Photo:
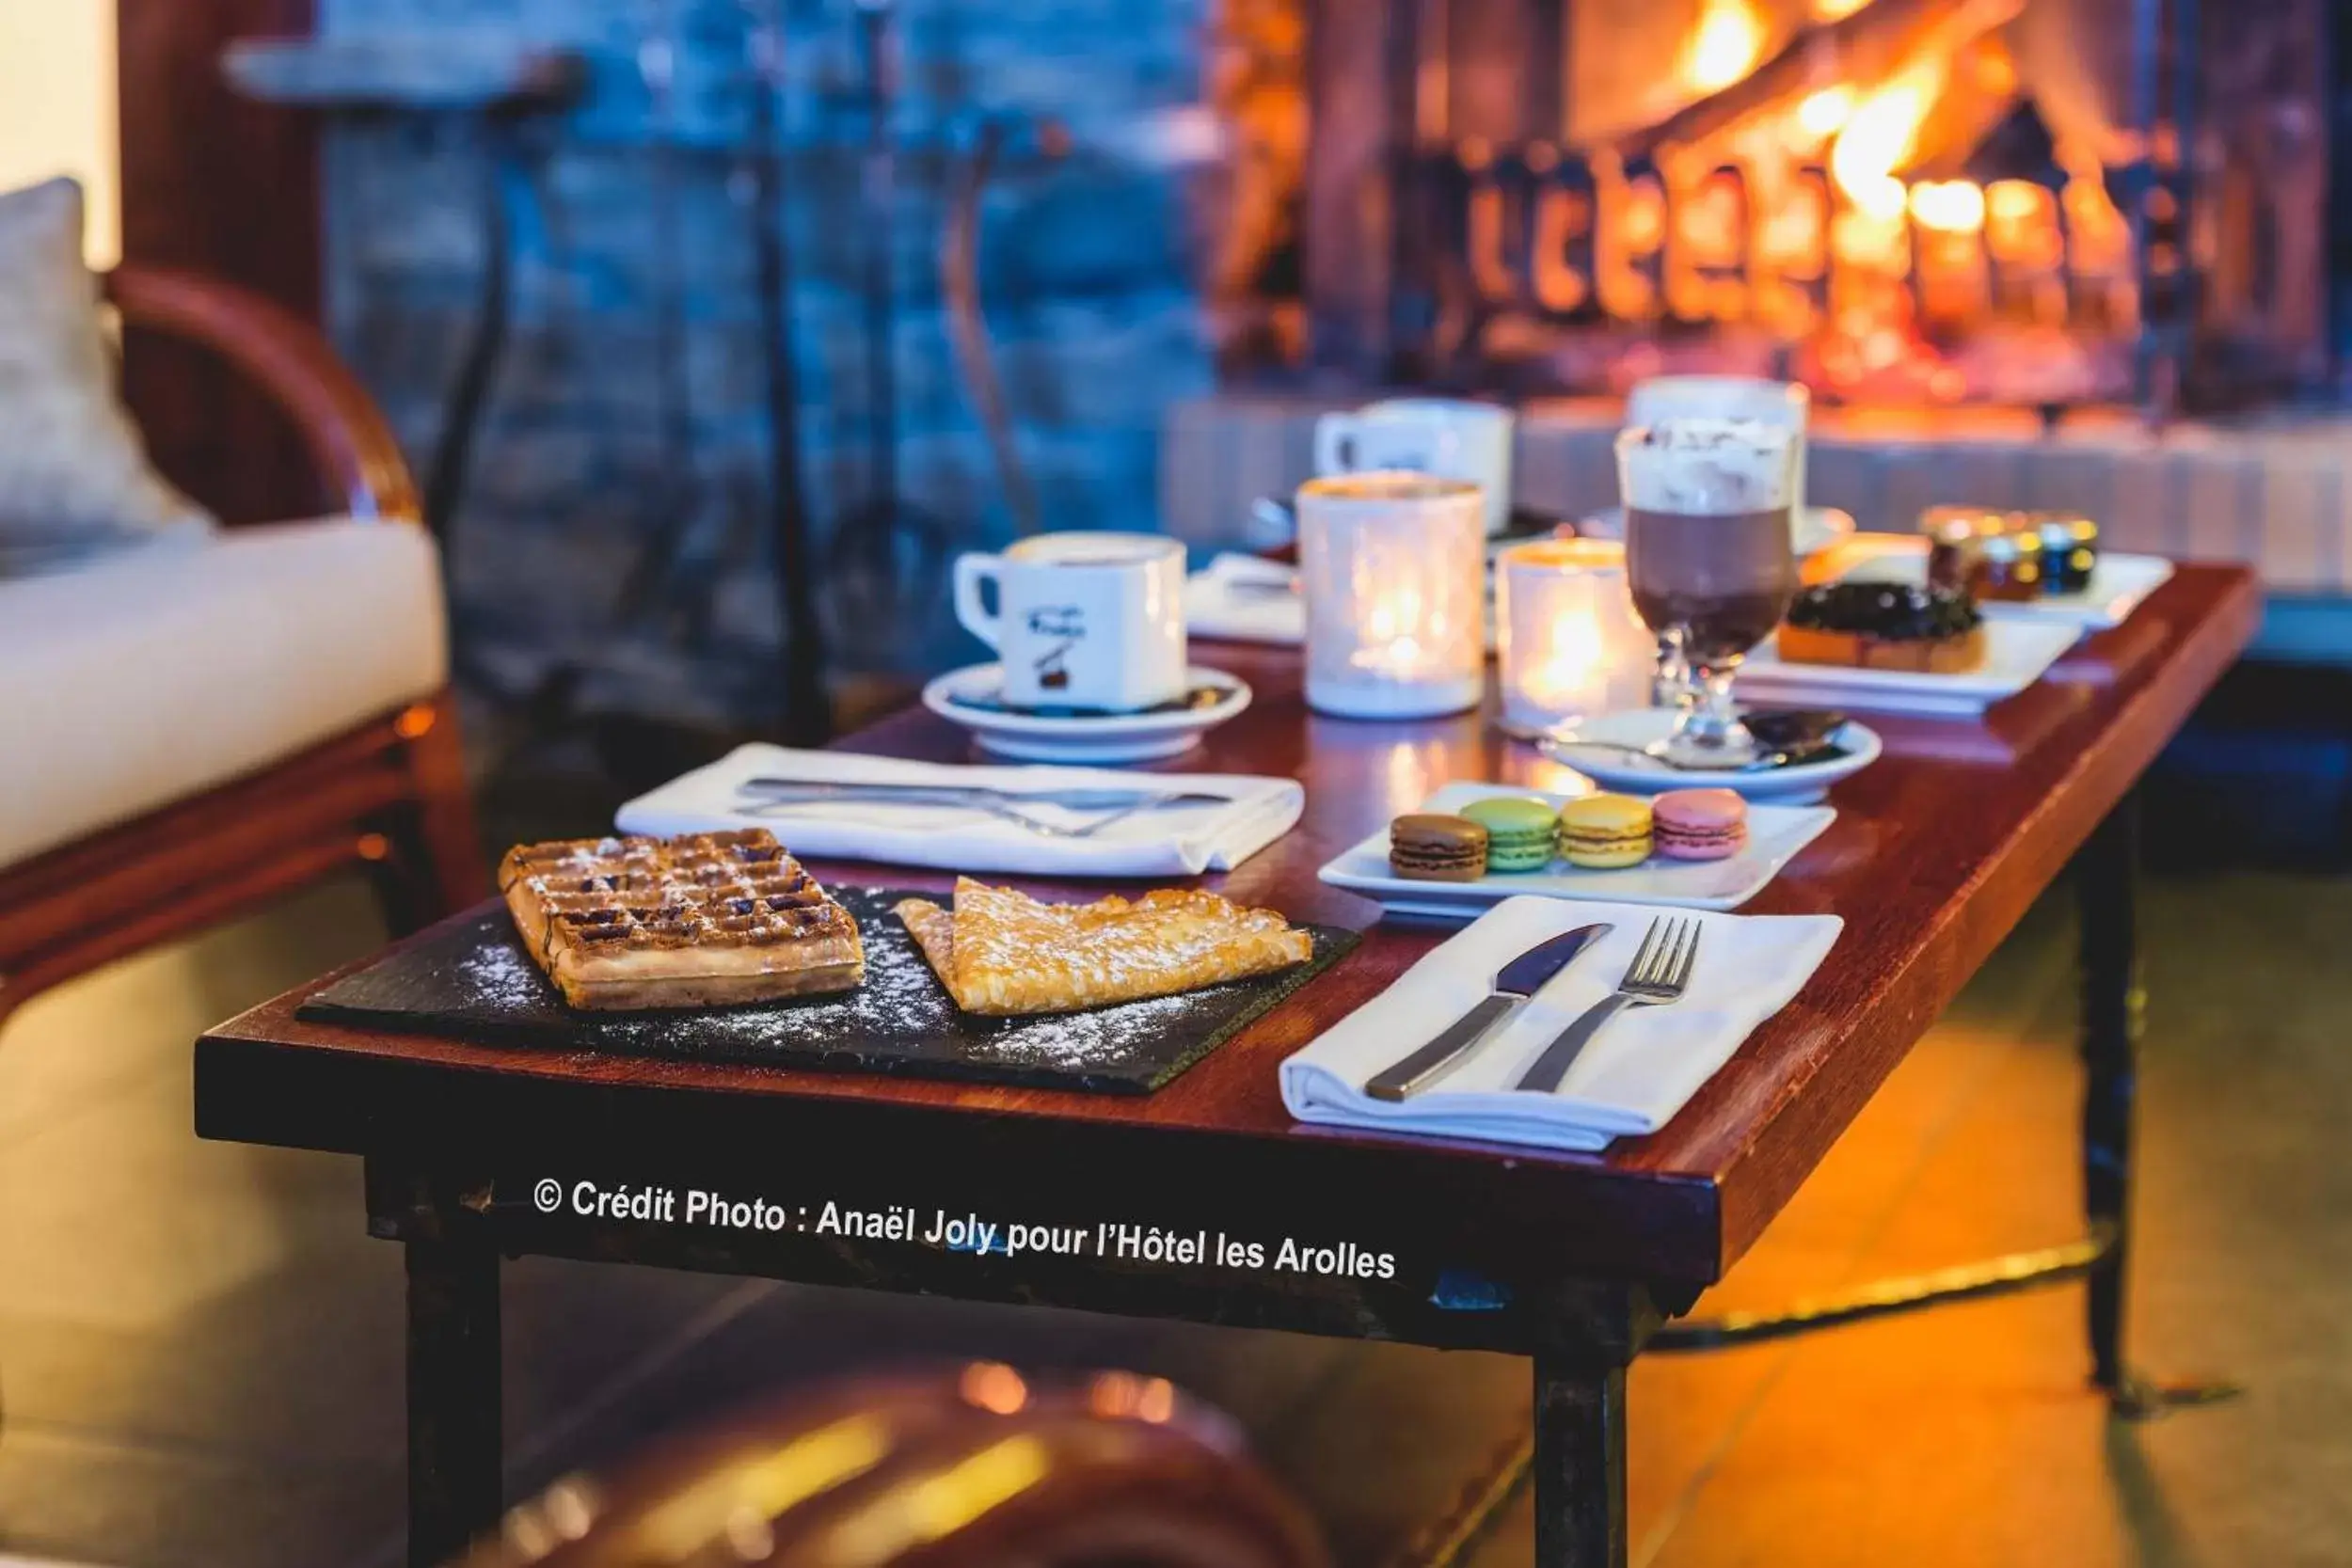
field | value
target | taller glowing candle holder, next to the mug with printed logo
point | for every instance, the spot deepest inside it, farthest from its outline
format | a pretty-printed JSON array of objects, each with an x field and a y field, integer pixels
[{"x": 1394, "y": 572}]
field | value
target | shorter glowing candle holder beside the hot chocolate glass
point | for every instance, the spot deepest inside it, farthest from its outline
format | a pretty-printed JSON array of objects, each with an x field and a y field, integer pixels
[{"x": 1568, "y": 638}]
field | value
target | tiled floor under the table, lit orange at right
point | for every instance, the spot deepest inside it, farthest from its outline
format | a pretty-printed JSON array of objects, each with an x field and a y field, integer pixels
[{"x": 201, "y": 1362}]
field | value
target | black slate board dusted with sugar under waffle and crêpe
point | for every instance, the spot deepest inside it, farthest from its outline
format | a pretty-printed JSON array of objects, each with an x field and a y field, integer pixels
[{"x": 474, "y": 981}]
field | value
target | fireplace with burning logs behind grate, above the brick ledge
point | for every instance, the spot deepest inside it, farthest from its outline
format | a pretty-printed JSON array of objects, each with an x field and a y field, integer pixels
[{"x": 1904, "y": 203}]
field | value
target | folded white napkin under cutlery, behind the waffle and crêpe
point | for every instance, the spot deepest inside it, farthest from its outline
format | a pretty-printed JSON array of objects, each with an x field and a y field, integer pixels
[{"x": 1165, "y": 843}]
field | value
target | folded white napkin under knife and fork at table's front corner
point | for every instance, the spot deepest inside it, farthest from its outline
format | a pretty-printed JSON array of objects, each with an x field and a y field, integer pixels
[{"x": 1631, "y": 1078}]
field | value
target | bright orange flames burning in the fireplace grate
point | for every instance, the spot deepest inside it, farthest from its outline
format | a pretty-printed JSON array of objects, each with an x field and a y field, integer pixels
[{"x": 1822, "y": 215}]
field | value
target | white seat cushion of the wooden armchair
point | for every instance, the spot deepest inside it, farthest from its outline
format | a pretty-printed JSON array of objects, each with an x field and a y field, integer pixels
[{"x": 159, "y": 674}]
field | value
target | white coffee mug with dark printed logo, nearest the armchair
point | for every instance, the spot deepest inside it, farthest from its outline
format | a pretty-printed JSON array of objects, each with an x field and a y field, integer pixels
[{"x": 1083, "y": 619}]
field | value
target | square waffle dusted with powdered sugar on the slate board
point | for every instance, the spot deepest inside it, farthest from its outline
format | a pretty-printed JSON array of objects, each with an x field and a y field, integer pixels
[{"x": 700, "y": 920}]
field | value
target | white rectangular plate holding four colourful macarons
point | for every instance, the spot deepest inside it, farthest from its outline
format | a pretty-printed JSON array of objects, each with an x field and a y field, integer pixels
[{"x": 1775, "y": 838}]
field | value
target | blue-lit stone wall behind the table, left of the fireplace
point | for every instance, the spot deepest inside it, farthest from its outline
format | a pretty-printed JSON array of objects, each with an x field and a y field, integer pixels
[{"x": 596, "y": 441}]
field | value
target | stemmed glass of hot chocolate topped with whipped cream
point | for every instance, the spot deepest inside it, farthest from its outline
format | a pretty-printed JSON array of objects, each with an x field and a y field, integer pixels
[{"x": 1709, "y": 558}]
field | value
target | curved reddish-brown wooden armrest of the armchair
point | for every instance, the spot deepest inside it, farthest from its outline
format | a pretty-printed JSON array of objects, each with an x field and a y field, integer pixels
[{"x": 338, "y": 422}]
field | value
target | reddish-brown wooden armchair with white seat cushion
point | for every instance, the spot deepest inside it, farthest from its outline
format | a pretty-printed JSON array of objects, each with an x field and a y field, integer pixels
[{"x": 274, "y": 706}]
